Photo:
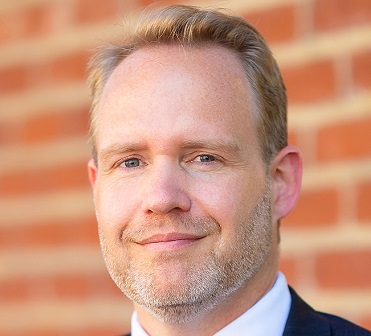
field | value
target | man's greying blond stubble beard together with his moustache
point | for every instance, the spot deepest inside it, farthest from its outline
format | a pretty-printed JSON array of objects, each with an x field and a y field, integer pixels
[{"x": 183, "y": 295}]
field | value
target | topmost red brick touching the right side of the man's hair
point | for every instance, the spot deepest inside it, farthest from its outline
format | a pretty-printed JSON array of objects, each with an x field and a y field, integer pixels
[{"x": 275, "y": 24}]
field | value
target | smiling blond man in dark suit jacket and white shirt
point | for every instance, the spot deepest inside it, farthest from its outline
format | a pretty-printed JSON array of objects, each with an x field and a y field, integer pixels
[{"x": 191, "y": 174}]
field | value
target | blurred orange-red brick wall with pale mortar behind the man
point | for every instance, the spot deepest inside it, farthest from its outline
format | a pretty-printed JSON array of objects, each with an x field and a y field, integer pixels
[{"x": 52, "y": 277}]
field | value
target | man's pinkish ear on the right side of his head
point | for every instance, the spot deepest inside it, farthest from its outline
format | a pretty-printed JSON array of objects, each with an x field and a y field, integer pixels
[{"x": 286, "y": 173}]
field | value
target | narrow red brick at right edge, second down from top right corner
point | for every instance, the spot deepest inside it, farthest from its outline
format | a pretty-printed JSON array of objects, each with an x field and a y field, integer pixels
[{"x": 362, "y": 69}]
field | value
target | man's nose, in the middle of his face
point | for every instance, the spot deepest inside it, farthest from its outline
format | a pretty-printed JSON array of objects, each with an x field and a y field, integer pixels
[{"x": 165, "y": 188}]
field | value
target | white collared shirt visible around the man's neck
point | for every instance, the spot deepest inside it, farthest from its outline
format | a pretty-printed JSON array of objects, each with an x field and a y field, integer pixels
[{"x": 267, "y": 317}]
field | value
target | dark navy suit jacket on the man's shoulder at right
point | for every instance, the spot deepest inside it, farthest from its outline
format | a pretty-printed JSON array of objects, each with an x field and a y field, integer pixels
[{"x": 304, "y": 321}]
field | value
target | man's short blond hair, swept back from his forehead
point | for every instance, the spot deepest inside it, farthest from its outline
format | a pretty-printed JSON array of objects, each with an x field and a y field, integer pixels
[{"x": 193, "y": 26}]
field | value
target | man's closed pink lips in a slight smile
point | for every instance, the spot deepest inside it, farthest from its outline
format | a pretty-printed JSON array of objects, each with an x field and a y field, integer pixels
[{"x": 169, "y": 241}]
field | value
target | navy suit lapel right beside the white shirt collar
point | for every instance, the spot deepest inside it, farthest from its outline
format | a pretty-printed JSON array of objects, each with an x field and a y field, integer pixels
[{"x": 303, "y": 320}]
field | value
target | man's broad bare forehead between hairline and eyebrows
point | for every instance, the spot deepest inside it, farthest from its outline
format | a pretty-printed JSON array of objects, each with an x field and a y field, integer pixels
[{"x": 178, "y": 88}]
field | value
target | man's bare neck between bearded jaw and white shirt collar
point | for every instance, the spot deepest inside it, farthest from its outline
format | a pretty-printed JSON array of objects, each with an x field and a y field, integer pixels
[{"x": 218, "y": 316}]
